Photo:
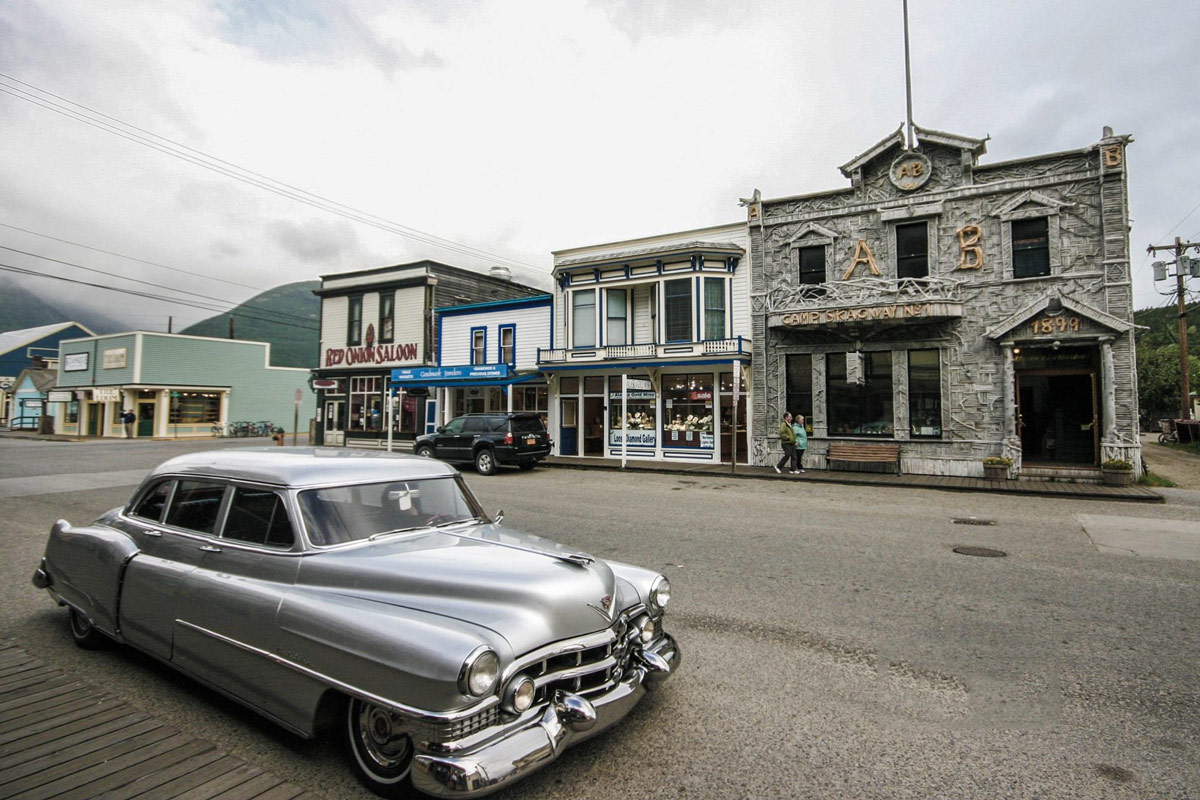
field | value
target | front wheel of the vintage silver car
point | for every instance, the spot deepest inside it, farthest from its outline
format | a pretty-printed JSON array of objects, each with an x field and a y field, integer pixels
[{"x": 381, "y": 750}]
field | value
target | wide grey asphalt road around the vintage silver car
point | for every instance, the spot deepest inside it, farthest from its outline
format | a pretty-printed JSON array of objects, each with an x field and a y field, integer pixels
[{"x": 836, "y": 646}]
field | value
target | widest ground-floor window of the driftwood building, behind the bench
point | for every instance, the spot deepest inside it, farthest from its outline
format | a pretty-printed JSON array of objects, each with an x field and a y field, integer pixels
[{"x": 860, "y": 394}]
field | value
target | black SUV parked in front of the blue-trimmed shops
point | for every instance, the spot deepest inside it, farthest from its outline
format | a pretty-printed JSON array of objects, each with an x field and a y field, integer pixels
[{"x": 489, "y": 440}]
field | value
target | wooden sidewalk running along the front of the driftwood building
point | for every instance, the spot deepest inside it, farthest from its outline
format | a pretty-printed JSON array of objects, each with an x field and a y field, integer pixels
[{"x": 1035, "y": 488}]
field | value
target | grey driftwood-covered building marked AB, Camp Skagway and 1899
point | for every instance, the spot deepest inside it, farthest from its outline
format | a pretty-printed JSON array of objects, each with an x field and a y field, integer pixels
[{"x": 939, "y": 311}]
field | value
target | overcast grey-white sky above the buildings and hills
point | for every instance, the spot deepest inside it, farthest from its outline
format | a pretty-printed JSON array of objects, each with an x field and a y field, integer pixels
[{"x": 517, "y": 128}]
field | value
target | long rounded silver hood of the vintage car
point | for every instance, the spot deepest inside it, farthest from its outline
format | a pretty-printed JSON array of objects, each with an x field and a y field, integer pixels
[{"x": 524, "y": 588}]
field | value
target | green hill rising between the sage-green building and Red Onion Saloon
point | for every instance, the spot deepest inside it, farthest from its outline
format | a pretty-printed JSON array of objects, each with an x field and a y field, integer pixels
[{"x": 289, "y": 317}]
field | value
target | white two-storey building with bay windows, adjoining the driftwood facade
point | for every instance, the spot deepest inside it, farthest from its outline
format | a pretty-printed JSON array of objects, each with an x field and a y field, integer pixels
[{"x": 650, "y": 335}]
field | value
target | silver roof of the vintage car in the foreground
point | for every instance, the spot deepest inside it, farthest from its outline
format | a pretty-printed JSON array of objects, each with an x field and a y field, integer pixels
[{"x": 304, "y": 467}]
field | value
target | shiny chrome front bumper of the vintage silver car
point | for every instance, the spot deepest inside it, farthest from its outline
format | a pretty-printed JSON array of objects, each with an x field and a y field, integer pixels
[{"x": 567, "y": 721}]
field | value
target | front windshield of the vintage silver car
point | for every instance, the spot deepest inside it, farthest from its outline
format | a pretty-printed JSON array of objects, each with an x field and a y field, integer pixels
[{"x": 347, "y": 514}]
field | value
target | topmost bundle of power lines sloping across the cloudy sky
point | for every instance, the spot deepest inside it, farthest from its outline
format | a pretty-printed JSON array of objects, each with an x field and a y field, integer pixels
[{"x": 230, "y": 170}]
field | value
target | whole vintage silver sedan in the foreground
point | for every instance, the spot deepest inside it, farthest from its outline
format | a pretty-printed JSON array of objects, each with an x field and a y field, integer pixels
[{"x": 369, "y": 594}]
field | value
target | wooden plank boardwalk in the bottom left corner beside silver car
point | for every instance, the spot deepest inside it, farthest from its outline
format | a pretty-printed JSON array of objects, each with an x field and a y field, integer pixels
[{"x": 63, "y": 739}]
